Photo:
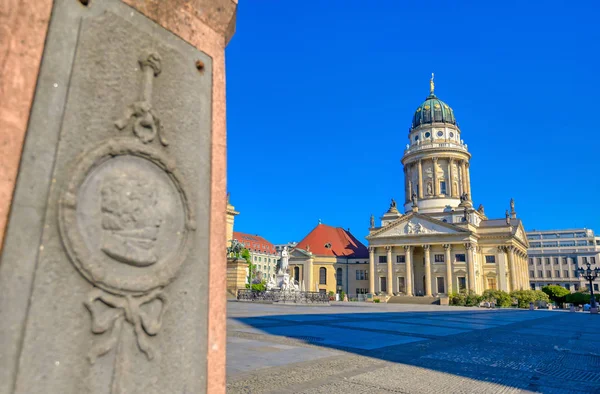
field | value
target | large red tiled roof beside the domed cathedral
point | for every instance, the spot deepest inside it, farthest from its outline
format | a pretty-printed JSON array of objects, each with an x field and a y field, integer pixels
[{"x": 341, "y": 243}]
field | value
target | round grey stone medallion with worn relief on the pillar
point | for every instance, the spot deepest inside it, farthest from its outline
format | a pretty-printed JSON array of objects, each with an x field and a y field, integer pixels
[{"x": 125, "y": 218}]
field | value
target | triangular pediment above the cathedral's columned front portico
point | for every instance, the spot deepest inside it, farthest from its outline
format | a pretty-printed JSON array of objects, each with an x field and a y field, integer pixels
[{"x": 412, "y": 225}]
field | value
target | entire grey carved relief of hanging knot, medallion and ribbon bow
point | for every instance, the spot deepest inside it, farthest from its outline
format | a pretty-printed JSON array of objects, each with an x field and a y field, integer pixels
[{"x": 125, "y": 220}]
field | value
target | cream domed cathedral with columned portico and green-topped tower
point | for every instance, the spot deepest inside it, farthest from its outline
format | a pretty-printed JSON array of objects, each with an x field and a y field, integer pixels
[{"x": 441, "y": 244}]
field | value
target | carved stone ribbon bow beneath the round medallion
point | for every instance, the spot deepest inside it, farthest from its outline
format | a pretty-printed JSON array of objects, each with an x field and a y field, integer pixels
[{"x": 140, "y": 312}]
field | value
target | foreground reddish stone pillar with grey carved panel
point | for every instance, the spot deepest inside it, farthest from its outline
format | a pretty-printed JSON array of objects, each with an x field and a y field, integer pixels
[{"x": 129, "y": 98}]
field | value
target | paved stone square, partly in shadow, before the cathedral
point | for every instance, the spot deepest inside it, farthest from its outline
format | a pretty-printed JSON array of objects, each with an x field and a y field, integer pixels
[{"x": 385, "y": 348}]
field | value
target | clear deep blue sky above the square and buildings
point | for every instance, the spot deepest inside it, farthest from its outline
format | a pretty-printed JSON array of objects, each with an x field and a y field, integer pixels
[{"x": 320, "y": 95}]
